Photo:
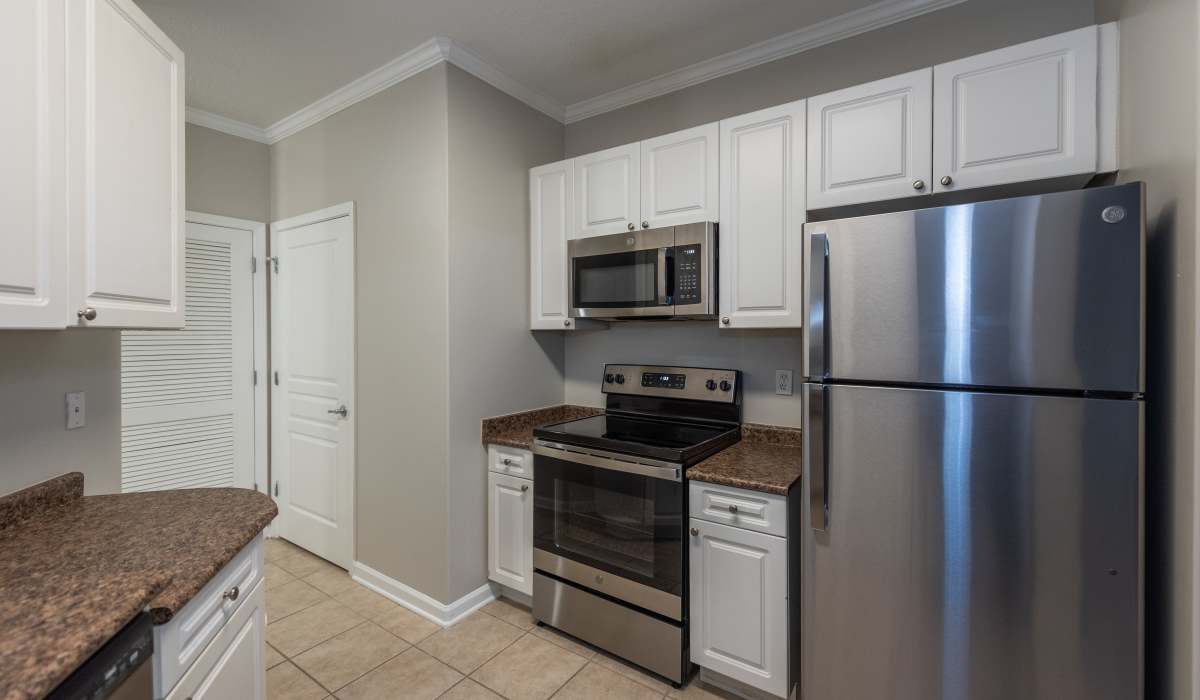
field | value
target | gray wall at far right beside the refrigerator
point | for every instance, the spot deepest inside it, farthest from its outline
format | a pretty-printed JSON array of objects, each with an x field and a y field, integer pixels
[{"x": 1159, "y": 146}]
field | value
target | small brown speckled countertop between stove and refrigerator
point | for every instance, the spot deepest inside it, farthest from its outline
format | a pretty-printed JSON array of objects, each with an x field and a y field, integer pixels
[{"x": 767, "y": 459}]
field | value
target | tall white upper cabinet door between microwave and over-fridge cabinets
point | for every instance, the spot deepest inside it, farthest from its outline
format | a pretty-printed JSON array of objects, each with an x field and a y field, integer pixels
[{"x": 763, "y": 218}]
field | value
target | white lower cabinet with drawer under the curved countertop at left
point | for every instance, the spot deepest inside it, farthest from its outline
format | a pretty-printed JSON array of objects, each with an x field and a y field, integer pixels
[{"x": 213, "y": 648}]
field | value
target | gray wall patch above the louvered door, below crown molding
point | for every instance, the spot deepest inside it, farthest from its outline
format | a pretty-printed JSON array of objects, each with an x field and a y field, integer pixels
[{"x": 227, "y": 175}]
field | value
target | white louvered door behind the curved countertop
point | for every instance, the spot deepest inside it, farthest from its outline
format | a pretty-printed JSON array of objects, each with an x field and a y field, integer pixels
[{"x": 188, "y": 396}]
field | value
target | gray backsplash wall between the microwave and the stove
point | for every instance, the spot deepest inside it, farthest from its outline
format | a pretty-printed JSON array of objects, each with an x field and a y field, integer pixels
[{"x": 758, "y": 354}]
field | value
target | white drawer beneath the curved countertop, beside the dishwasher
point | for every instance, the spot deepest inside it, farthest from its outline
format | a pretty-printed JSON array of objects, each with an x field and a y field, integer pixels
[{"x": 179, "y": 643}]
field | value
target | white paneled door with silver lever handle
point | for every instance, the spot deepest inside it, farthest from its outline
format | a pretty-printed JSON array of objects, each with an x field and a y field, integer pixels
[{"x": 313, "y": 350}]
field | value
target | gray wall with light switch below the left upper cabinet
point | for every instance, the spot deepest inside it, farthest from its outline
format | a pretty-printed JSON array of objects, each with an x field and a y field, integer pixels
[{"x": 37, "y": 370}]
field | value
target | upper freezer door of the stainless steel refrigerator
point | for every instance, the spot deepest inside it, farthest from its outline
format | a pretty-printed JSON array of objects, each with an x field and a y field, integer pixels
[{"x": 1033, "y": 292}]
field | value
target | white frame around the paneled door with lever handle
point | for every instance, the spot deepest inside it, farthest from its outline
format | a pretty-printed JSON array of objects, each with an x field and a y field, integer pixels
[{"x": 327, "y": 214}]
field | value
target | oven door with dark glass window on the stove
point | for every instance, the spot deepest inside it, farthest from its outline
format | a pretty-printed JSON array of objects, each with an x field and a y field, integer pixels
[{"x": 613, "y": 527}]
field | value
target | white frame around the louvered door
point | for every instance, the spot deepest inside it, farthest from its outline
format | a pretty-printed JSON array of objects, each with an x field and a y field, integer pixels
[{"x": 257, "y": 230}]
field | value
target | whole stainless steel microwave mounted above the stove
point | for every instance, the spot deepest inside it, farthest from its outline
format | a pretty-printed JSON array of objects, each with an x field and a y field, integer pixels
[{"x": 657, "y": 273}]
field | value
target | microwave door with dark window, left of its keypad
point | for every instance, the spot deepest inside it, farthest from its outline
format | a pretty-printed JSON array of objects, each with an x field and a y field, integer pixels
[{"x": 627, "y": 274}]
